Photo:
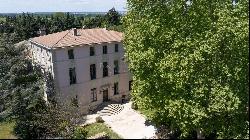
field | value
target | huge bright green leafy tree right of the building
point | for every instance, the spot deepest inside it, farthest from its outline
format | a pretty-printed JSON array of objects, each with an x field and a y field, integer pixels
[{"x": 190, "y": 64}]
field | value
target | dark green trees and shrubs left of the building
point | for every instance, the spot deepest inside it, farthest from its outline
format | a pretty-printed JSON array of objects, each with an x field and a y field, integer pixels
[{"x": 21, "y": 98}]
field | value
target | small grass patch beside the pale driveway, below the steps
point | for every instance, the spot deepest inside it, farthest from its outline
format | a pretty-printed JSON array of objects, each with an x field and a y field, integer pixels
[{"x": 96, "y": 128}]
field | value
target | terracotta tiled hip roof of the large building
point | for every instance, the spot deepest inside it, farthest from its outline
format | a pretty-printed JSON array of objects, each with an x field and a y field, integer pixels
[{"x": 84, "y": 37}]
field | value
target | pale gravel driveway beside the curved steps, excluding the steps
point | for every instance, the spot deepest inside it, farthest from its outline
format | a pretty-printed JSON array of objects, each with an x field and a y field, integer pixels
[{"x": 129, "y": 124}]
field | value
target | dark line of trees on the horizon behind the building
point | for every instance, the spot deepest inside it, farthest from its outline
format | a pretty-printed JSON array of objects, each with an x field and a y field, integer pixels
[{"x": 25, "y": 26}]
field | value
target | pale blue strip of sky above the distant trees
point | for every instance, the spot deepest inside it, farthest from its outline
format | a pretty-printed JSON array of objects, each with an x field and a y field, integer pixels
[{"x": 19, "y": 6}]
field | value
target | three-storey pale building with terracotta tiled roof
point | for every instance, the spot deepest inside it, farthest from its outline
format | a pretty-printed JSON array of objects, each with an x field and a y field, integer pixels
[{"x": 87, "y": 65}]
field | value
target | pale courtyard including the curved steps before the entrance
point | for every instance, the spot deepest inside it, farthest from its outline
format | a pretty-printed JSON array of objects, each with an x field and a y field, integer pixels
[{"x": 124, "y": 121}]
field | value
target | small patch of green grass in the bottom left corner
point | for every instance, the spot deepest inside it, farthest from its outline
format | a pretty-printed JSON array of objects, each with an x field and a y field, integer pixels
[{"x": 6, "y": 130}]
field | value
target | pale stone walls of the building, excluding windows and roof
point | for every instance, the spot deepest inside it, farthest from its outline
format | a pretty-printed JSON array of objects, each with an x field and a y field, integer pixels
[{"x": 56, "y": 61}]
